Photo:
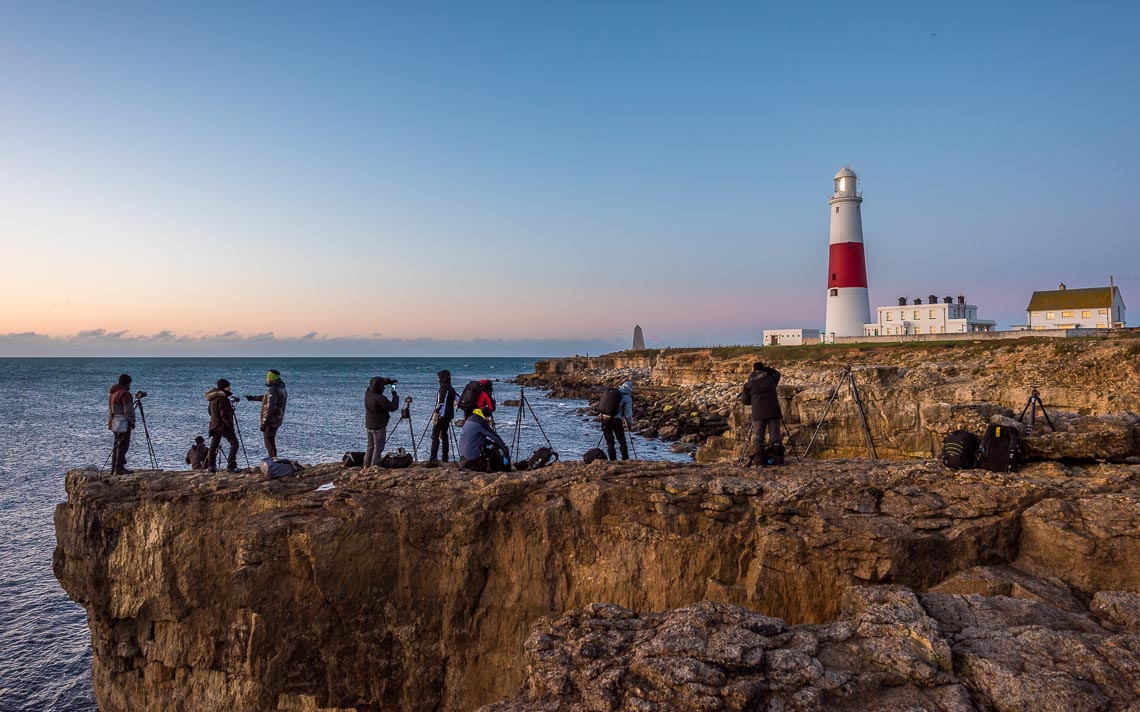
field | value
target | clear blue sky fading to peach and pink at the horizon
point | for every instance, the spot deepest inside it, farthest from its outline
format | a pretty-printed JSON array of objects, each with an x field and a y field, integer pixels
[{"x": 538, "y": 178}]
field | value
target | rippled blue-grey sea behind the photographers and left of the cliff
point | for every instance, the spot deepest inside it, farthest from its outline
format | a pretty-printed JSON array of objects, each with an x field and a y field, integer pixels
[{"x": 53, "y": 419}]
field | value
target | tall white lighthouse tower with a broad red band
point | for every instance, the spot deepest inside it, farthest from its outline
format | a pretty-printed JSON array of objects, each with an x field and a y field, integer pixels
[{"x": 849, "y": 306}]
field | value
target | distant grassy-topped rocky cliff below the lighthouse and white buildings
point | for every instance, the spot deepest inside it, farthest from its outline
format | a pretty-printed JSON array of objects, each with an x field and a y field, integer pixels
[{"x": 915, "y": 394}]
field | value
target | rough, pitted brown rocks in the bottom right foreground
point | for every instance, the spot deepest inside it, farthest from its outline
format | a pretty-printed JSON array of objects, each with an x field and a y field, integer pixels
[{"x": 890, "y": 650}]
